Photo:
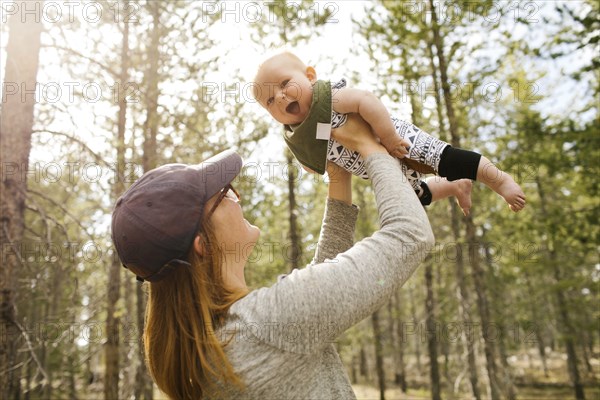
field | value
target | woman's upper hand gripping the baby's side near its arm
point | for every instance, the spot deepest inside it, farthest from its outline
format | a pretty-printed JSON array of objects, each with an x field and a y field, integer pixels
[{"x": 357, "y": 135}]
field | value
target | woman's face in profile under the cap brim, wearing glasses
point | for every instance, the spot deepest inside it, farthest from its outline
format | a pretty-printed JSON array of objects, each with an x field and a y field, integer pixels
[{"x": 233, "y": 232}]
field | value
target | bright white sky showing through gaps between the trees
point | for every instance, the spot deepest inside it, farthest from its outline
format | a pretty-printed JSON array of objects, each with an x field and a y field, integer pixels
[{"x": 330, "y": 53}]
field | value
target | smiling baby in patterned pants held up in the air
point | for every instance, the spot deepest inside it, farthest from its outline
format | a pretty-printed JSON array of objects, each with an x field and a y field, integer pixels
[{"x": 310, "y": 108}]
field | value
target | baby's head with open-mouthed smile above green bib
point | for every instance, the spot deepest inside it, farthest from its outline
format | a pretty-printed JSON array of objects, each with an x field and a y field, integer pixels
[{"x": 283, "y": 86}]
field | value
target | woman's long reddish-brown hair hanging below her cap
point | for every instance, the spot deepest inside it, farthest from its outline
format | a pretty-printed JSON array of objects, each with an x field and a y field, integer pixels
[{"x": 183, "y": 352}]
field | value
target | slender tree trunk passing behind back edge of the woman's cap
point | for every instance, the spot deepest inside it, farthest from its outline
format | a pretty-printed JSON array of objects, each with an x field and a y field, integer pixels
[{"x": 111, "y": 381}]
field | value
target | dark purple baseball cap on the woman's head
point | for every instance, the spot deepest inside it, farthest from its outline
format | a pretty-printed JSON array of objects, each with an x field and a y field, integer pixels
[{"x": 155, "y": 221}]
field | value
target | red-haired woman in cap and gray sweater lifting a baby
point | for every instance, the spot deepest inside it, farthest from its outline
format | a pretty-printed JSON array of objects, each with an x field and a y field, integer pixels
[{"x": 207, "y": 336}]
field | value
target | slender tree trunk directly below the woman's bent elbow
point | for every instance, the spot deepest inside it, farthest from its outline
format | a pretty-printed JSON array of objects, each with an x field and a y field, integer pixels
[{"x": 432, "y": 338}]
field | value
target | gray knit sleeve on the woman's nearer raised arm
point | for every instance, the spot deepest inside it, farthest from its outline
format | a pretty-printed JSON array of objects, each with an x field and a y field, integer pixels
[{"x": 310, "y": 307}]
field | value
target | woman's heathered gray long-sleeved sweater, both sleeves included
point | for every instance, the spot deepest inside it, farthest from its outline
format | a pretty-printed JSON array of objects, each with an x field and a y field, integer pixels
[{"x": 281, "y": 337}]
